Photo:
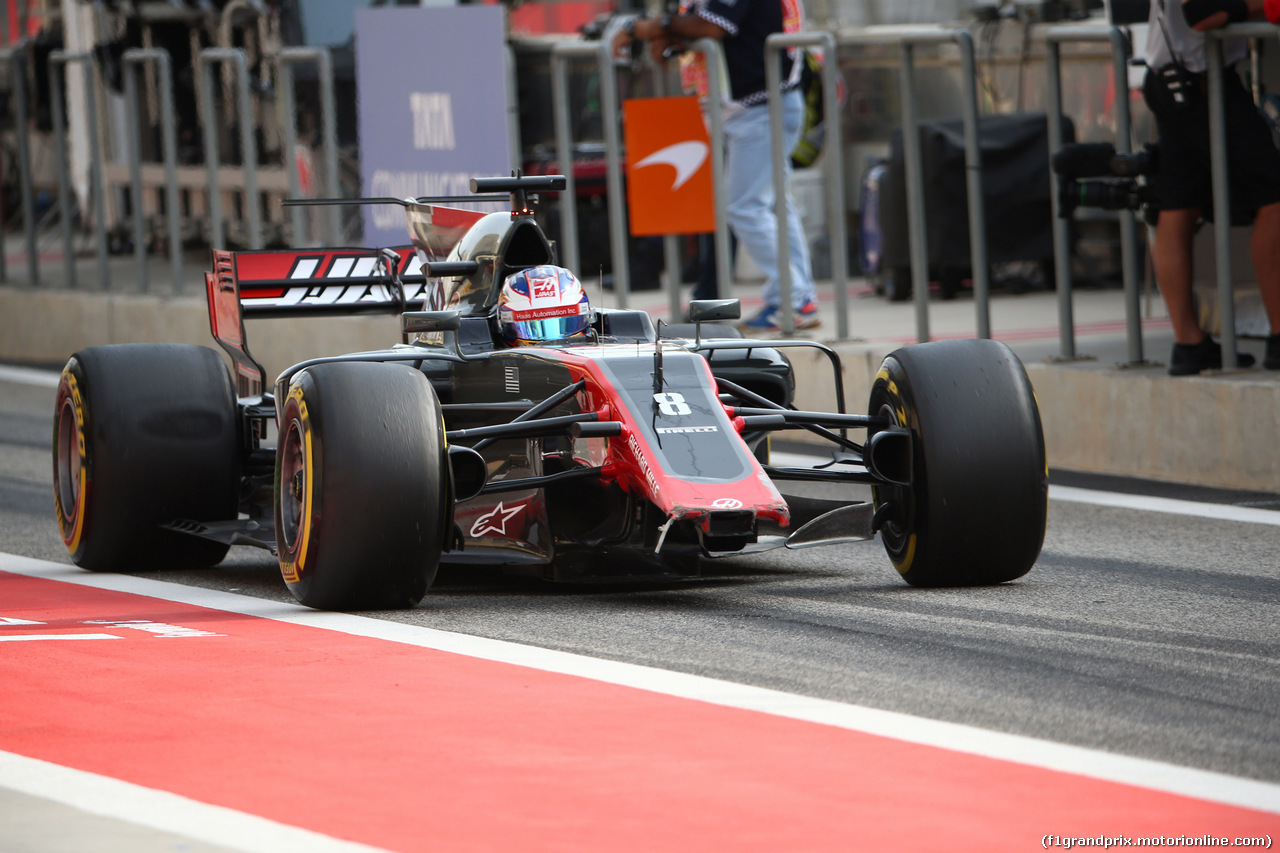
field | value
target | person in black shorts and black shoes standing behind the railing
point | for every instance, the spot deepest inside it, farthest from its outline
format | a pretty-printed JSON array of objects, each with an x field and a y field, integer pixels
[{"x": 1177, "y": 93}]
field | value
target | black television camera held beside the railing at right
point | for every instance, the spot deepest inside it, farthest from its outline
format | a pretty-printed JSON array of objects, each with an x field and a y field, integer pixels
[{"x": 1092, "y": 175}]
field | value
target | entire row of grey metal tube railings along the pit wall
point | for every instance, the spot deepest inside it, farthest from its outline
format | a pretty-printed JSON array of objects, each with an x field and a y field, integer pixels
[{"x": 906, "y": 39}]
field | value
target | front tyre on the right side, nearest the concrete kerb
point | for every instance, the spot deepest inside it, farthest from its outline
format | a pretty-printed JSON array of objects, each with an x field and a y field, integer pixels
[{"x": 975, "y": 513}]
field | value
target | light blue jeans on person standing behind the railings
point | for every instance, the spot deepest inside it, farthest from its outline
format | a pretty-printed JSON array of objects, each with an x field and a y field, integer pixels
[{"x": 749, "y": 197}]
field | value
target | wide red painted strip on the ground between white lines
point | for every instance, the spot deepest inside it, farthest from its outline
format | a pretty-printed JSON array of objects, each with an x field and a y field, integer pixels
[{"x": 419, "y": 750}]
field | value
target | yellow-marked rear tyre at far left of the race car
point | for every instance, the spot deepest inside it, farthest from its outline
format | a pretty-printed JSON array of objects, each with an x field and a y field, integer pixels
[{"x": 144, "y": 436}]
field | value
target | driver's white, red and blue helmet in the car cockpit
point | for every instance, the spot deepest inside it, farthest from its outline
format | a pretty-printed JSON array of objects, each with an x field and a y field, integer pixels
[{"x": 542, "y": 304}]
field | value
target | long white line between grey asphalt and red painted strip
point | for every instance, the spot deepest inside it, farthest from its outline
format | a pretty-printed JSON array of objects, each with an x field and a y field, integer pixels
[{"x": 1155, "y": 776}]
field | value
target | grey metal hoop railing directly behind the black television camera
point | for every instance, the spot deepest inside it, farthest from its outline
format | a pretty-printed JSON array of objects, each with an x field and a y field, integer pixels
[{"x": 1055, "y": 38}]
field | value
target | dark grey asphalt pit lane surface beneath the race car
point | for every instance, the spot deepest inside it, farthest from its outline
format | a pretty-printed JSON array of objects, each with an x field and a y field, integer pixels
[{"x": 1140, "y": 633}]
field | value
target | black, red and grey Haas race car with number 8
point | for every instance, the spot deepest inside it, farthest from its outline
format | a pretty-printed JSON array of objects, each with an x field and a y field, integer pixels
[{"x": 518, "y": 426}]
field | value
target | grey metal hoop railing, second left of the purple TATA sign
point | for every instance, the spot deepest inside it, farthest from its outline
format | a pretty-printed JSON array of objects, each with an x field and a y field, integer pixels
[{"x": 249, "y": 147}]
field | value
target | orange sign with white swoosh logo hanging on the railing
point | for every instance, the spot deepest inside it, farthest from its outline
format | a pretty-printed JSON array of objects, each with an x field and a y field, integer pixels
[{"x": 669, "y": 167}]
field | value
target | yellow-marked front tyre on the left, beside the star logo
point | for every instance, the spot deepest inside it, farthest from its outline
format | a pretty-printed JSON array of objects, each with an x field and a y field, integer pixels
[{"x": 363, "y": 499}]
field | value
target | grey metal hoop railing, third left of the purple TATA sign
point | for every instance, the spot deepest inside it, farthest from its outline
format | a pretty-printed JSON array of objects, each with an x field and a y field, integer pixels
[{"x": 134, "y": 62}]
